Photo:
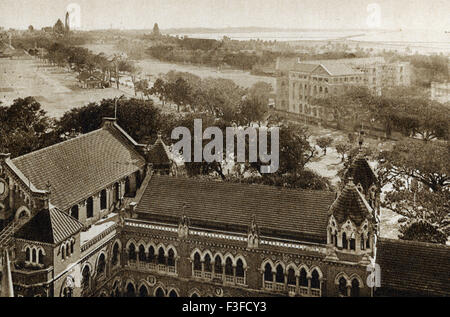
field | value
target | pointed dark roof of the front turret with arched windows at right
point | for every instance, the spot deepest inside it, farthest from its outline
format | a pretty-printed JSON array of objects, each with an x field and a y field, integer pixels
[{"x": 350, "y": 204}]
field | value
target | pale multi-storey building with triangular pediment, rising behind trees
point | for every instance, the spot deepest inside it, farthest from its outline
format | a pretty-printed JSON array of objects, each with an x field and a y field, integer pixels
[{"x": 300, "y": 81}]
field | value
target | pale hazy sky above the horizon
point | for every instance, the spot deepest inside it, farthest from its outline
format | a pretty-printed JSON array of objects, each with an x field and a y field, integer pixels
[{"x": 310, "y": 14}]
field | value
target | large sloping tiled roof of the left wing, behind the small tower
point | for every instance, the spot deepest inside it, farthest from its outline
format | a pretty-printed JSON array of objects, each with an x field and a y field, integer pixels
[{"x": 80, "y": 167}]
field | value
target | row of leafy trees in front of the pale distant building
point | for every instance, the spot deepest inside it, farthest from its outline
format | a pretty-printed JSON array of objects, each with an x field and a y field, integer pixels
[{"x": 406, "y": 110}]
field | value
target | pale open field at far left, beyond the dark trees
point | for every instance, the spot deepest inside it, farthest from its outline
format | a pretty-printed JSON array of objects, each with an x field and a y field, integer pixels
[{"x": 56, "y": 89}]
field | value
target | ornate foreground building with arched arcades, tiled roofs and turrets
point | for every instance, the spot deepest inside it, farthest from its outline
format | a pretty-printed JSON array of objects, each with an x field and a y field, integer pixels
[{"x": 101, "y": 215}]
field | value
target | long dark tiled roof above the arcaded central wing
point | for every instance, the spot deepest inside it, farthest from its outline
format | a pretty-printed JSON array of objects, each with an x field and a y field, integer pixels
[{"x": 295, "y": 213}]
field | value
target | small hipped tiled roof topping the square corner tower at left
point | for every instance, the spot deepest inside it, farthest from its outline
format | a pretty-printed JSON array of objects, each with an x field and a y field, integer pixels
[{"x": 49, "y": 226}]
